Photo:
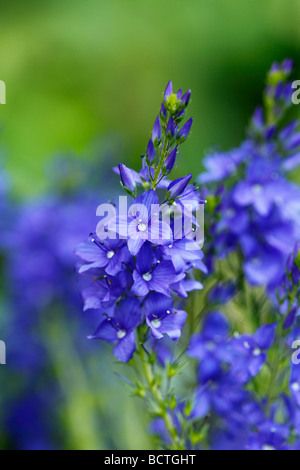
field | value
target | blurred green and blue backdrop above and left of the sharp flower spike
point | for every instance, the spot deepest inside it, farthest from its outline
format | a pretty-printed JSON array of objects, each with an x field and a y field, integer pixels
[{"x": 85, "y": 78}]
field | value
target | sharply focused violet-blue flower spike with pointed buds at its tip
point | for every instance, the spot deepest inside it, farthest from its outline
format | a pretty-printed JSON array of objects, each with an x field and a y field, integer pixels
[{"x": 144, "y": 263}]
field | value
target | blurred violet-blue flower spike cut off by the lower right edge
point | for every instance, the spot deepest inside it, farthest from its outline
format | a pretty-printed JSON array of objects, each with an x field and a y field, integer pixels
[{"x": 280, "y": 428}]
